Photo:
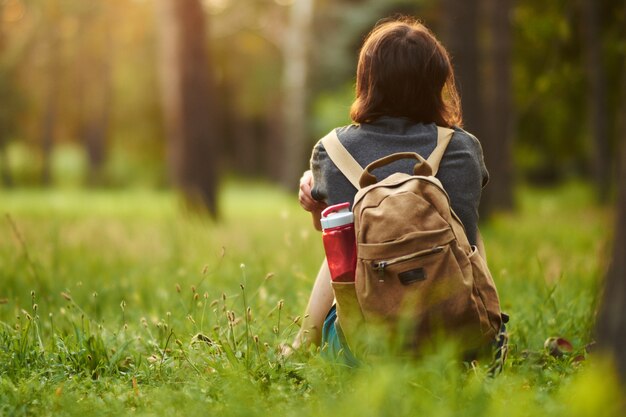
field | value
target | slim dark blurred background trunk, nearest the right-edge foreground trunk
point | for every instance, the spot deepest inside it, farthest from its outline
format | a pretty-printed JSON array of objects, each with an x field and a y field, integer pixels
[{"x": 597, "y": 97}]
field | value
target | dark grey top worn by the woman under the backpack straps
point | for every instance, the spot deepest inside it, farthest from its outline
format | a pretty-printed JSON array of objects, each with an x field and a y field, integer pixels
[{"x": 462, "y": 171}]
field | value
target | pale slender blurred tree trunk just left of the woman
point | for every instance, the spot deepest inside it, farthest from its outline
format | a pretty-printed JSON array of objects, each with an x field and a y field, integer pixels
[{"x": 296, "y": 51}]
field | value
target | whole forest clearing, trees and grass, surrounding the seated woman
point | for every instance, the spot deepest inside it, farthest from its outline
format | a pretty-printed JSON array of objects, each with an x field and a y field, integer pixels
[{"x": 110, "y": 108}]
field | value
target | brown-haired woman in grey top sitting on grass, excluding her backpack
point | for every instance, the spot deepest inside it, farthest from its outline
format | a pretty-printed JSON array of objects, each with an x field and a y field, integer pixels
[{"x": 404, "y": 89}]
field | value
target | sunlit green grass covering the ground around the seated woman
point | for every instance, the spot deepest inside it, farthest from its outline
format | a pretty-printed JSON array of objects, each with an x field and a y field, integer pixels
[{"x": 123, "y": 303}]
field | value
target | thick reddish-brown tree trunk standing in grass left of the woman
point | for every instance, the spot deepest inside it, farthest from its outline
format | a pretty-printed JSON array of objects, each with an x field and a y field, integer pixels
[{"x": 188, "y": 101}]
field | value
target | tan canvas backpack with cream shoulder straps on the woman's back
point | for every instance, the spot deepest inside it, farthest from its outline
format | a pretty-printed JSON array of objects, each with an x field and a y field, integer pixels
[{"x": 417, "y": 275}]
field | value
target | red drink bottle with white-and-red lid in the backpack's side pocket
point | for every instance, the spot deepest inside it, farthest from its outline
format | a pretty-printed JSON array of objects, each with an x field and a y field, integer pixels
[{"x": 339, "y": 241}]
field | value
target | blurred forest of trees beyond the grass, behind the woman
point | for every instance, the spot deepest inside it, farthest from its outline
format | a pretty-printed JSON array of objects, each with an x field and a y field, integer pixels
[{"x": 85, "y": 86}]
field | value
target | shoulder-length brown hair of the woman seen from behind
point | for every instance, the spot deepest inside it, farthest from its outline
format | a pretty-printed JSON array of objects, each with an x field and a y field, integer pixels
[{"x": 404, "y": 71}]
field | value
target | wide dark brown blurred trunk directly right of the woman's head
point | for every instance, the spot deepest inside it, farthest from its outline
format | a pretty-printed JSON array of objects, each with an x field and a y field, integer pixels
[{"x": 478, "y": 35}]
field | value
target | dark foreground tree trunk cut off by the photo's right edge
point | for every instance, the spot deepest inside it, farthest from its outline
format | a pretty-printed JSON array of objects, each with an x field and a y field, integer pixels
[{"x": 611, "y": 325}]
